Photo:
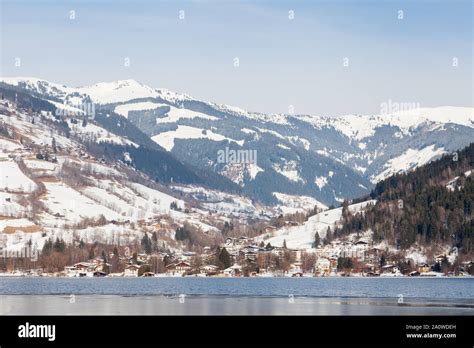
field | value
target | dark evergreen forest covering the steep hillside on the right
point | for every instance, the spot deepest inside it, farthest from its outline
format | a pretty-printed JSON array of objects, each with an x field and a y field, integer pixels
[{"x": 432, "y": 204}]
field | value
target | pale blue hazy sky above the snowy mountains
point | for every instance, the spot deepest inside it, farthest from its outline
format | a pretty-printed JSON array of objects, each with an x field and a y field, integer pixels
[{"x": 314, "y": 57}]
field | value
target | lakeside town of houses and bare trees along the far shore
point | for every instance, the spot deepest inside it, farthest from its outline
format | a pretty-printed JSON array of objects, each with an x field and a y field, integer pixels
[{"x": 241, "y": 257}]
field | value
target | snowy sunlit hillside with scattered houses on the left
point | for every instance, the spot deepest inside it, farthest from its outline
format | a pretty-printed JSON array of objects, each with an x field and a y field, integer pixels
[{"x": 52, "y": 187}]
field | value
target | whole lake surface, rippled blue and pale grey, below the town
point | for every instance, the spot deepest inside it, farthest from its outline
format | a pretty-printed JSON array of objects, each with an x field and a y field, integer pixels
[{"x": 237, "y": 296}]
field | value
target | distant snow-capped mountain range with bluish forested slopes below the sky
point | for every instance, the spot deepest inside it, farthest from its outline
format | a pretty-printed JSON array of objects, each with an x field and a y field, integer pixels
[{"x": 328, "y": 158}]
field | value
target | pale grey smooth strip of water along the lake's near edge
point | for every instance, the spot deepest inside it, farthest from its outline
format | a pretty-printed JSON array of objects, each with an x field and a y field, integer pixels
[{"x": 223, "y": 305}]
